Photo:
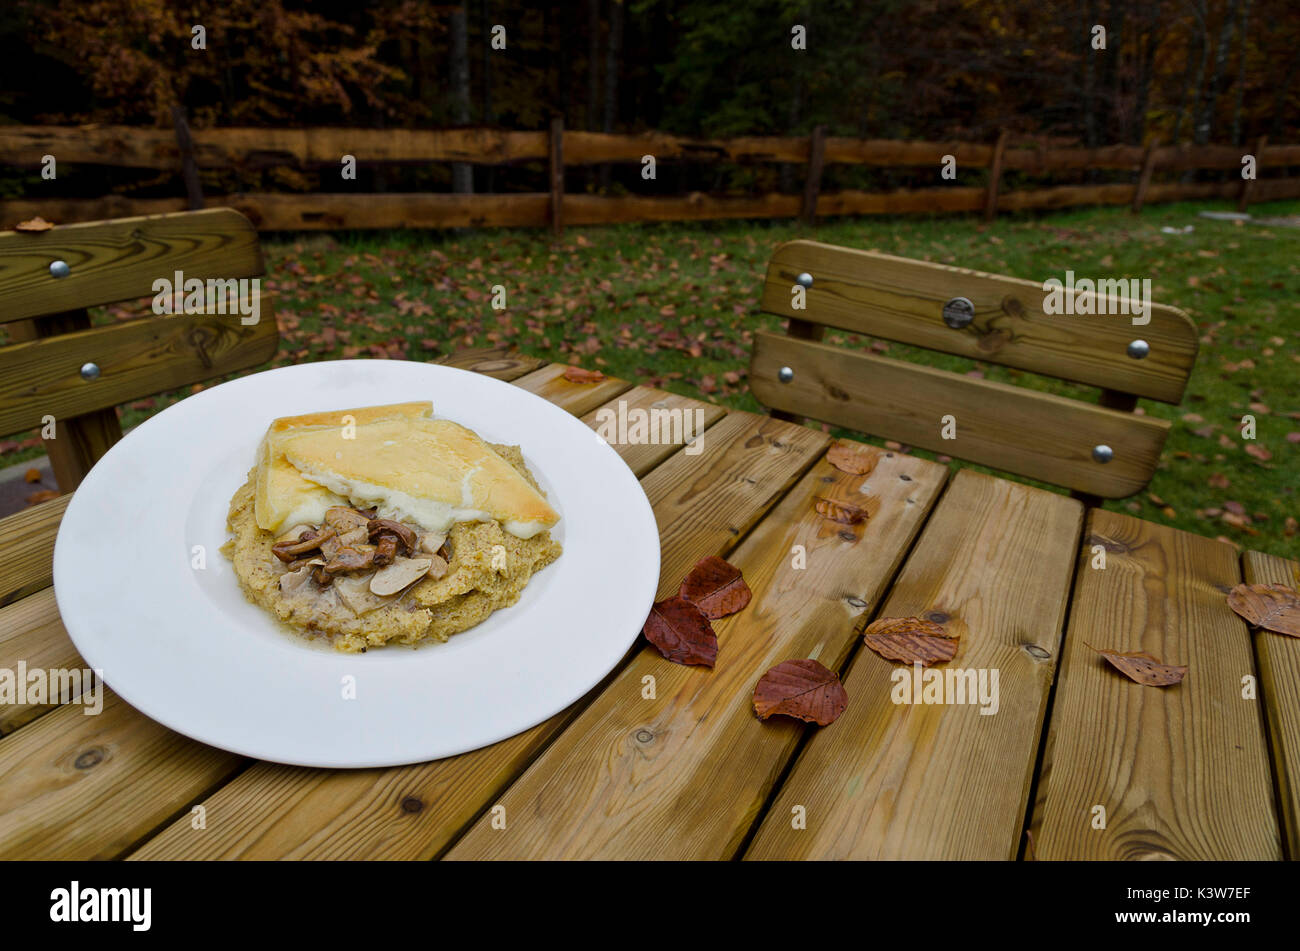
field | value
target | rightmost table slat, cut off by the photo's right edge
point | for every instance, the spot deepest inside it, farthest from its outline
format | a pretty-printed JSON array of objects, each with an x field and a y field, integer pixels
[{"x": 1279, "y": 661}]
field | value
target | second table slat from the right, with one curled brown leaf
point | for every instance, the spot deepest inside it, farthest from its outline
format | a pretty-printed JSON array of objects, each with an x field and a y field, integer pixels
[{"x": 1181, "y": 772}]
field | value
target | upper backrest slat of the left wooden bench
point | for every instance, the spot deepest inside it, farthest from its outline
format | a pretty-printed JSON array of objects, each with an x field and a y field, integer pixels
[{"x": 120, "y": 260}]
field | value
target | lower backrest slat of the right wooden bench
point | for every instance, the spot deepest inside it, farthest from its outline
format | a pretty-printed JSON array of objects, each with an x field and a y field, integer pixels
[{"x": 1035, "y": 435}]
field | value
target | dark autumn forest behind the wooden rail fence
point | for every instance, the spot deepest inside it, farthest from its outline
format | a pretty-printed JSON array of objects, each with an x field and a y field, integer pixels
[{"x": 1184, "y": 71}]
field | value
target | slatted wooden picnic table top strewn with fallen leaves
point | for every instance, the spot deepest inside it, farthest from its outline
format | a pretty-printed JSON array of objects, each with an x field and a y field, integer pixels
[{"x": 669, "y": 762}]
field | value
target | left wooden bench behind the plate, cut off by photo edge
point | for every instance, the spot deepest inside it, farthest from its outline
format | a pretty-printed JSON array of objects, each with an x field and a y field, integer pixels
[{"x": 67, "y": 377}]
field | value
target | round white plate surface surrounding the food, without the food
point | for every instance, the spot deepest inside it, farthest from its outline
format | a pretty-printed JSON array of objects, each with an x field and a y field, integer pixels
[{"x": 181, "y": 645}]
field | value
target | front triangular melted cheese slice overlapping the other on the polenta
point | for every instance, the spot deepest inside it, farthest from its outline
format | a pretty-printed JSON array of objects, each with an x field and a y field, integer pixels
[{"x": 431, "y": 472}]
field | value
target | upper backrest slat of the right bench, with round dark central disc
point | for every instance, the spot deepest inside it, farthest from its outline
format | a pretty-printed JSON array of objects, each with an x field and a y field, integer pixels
[{"x": 900, "y": 299}]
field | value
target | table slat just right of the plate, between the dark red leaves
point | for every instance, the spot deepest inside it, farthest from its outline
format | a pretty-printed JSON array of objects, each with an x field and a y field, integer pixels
[{"x": 684, "y": 775}]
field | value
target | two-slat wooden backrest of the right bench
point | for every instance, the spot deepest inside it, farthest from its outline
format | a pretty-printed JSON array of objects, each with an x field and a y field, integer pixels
[{"x": 1097, "y": 449}]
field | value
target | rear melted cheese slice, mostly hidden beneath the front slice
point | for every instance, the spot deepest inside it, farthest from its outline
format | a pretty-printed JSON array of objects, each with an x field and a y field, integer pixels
[{"x": 284, "y": 498}]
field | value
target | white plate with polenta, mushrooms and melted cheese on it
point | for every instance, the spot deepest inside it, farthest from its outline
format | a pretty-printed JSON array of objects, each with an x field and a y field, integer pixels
[{"x": 358, "y": 563}]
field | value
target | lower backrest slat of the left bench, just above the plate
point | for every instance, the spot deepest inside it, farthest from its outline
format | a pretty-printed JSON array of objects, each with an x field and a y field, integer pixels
[{"x": 137, "y": 359}]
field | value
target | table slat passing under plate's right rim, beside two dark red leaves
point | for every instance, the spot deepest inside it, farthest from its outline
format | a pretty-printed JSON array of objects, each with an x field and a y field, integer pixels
[{"x": 278, "y": 811}]
